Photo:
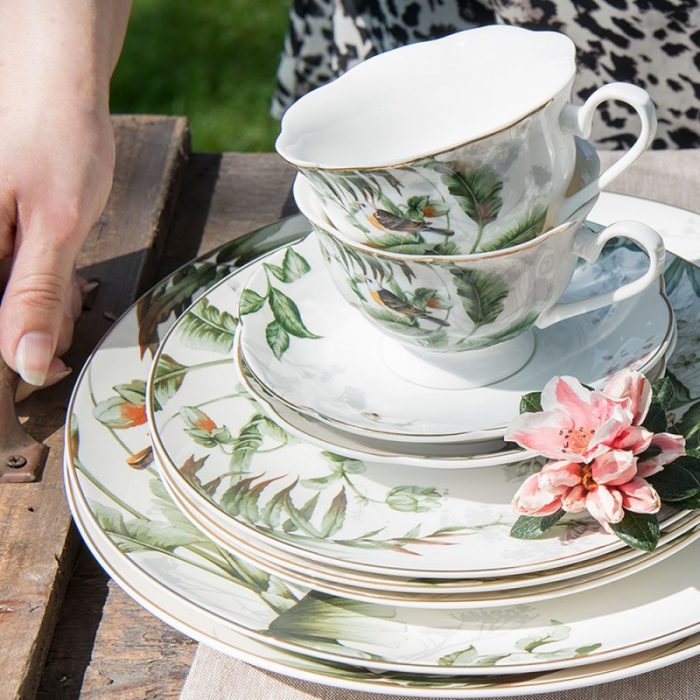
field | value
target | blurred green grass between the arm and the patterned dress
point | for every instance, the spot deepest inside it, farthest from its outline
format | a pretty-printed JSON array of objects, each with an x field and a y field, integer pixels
[{"x": 213, "y": 61}]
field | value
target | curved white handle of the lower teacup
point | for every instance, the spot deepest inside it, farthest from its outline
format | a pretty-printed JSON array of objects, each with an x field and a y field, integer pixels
[{"x": 587, "y": 245}]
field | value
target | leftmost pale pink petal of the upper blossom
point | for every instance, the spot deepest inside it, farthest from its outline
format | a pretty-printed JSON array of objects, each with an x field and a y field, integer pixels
[{"x": 543, "y": 432}]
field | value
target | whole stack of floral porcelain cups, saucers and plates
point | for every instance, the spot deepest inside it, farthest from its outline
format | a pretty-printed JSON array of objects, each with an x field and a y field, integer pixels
[{"x": 321, "y": 486}]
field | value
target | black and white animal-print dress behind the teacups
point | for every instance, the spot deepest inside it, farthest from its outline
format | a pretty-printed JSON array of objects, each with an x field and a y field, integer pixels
[{"x": 652, "y": 43}]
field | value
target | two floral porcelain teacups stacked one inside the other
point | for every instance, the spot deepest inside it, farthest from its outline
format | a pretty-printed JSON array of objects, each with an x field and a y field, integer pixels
[{"x": 459, "y": 169}]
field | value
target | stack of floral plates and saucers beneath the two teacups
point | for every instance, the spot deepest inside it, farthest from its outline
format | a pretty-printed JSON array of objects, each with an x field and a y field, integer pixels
[{"x": 284, "y": 499}]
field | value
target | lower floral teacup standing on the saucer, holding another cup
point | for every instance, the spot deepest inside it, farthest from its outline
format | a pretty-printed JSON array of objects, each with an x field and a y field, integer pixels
[{"x": 484, "y": 303}]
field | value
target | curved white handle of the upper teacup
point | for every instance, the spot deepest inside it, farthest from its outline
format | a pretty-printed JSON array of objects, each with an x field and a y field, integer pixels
[{"x": 579, "y": 120}]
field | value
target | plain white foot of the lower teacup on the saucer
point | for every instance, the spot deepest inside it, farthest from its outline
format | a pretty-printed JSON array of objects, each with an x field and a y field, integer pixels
[{"x": 459, "y": 370}]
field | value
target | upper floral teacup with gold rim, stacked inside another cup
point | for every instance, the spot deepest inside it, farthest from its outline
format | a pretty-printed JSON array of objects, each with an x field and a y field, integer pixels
[{"x": 460, "y": 145}]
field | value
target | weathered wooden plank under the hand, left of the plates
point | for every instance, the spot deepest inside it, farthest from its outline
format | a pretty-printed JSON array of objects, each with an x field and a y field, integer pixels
[{"x": 37, "y": 544}]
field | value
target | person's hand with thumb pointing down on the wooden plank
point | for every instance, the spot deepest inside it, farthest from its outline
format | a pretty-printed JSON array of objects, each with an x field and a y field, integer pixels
[{"x": 55, "y": 177}]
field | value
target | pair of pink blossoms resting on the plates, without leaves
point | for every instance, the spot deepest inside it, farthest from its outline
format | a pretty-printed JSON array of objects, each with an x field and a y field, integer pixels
[{"x": 595, "y": 438}]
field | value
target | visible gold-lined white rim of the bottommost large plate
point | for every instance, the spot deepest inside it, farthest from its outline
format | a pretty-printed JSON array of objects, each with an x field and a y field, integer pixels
[{"x": 212, "y": 629}]
